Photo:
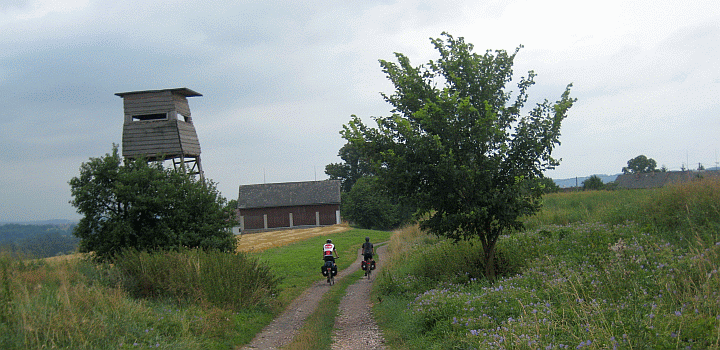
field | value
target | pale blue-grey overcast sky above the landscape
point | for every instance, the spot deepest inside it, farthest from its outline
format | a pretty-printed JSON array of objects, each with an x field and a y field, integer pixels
[{"x": 280, "y": 78}]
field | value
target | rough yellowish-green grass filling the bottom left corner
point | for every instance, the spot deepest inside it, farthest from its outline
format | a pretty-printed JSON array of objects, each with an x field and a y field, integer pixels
[{"x": 54, "y": 305}]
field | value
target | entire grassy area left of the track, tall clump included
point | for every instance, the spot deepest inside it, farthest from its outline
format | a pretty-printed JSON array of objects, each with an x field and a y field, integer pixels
[{"x": 186, "y": 300}]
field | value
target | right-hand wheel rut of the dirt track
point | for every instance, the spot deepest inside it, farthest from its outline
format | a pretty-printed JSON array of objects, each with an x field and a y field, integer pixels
[{"x": 355, "y": 327}]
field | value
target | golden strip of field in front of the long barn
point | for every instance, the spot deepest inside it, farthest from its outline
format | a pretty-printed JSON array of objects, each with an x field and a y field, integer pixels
[{"x": 255, "y": 242}]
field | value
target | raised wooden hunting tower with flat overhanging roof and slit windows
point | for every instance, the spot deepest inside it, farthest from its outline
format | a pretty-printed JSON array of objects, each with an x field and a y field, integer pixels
[{"x": 158, "y": 127}]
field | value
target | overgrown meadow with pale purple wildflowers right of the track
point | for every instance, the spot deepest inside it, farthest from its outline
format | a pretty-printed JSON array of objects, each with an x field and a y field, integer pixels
[{"x": 593, "y": 270}]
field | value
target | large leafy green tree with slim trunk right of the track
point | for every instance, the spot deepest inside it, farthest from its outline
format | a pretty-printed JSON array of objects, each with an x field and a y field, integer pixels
[{"x": 459, "y": 146}]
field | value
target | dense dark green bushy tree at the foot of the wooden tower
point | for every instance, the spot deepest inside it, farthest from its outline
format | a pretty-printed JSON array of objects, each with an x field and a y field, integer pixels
[{"x": 144, "y": 206}]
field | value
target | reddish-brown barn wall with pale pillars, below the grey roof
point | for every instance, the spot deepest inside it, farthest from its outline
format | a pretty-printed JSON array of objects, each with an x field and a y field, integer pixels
[{"x": 279, "y": 217}]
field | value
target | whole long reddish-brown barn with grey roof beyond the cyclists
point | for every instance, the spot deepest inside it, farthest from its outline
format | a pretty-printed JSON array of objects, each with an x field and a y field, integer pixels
[{"x": 289, "y": 204}]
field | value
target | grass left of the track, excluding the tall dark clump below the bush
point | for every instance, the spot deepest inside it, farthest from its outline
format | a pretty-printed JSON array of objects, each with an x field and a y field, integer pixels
[{"x": 60, "y": 304}]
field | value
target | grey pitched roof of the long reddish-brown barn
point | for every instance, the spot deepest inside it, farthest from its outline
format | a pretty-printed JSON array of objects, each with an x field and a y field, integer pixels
[{"x": 289, "y": 194}]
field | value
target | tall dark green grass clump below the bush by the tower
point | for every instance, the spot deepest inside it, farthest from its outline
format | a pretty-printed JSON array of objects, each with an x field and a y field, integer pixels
[{"x": 225, "y": 280}]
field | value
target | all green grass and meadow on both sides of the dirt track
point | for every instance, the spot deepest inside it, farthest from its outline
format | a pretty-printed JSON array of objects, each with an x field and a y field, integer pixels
[{"x": 593, "y": 270}]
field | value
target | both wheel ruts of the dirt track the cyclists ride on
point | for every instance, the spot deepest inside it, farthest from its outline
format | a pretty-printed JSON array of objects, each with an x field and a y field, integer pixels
[{"x": 284, "y": 328}]
